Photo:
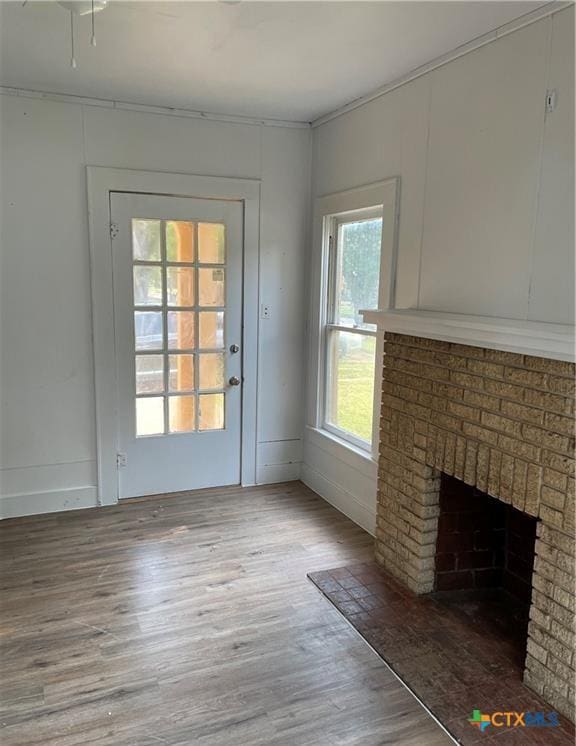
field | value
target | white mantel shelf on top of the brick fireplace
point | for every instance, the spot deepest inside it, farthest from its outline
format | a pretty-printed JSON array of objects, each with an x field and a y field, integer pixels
[{"x": 555, "y": 341}]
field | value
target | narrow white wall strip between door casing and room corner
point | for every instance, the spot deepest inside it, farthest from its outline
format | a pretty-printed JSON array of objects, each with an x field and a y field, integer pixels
[{"x": 281, "y": 370}]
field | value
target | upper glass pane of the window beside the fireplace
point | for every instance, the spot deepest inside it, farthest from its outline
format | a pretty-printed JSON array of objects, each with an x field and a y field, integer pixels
[{"x": 358, "y": 270}]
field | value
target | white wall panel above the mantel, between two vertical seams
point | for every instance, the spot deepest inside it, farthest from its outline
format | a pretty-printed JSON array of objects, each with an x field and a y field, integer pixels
[{"x": 485, "y": 132}]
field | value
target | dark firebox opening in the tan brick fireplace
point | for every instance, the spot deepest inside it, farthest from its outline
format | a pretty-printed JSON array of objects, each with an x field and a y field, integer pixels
[{"x": 484, "y": 562}]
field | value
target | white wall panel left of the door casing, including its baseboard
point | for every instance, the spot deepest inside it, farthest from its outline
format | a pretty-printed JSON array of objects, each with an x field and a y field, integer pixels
[{"x": 47, "y": 405}]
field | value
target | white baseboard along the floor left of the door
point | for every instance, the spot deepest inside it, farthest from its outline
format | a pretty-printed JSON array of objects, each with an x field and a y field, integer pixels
[{"x": 52, "y": 501}]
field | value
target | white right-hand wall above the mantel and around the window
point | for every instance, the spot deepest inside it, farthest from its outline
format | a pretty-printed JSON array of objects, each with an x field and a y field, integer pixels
[{"x": 487, "y": 195}]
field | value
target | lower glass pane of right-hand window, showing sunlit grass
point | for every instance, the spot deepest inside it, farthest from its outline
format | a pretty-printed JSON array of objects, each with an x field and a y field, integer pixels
[{"x": 350, "y": 403}]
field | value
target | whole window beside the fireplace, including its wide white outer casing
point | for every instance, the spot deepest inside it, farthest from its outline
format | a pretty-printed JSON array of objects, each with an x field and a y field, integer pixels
[{"x": 354, "y": 270}]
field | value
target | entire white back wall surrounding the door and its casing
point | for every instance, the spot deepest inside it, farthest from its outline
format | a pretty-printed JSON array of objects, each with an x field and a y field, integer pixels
[{"x": 47, "y": 450}]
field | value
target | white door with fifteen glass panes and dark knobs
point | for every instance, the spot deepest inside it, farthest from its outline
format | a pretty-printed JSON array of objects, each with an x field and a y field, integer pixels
[{"x": 177, "y": 270}]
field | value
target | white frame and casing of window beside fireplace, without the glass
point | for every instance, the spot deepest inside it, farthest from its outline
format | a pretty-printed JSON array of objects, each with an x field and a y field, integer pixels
[{"x": 375, "y": 199}]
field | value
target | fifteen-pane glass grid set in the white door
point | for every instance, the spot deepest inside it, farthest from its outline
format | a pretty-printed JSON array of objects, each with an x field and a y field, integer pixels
[{"x": 204, "y": 404}]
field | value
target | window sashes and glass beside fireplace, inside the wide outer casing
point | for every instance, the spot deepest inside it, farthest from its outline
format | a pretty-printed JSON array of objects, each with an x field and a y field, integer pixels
[{"x": 352, "y": 284}]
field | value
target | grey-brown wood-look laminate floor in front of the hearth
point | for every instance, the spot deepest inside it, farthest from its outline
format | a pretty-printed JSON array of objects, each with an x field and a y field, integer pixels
[{"x": 189, "y": 619}]
